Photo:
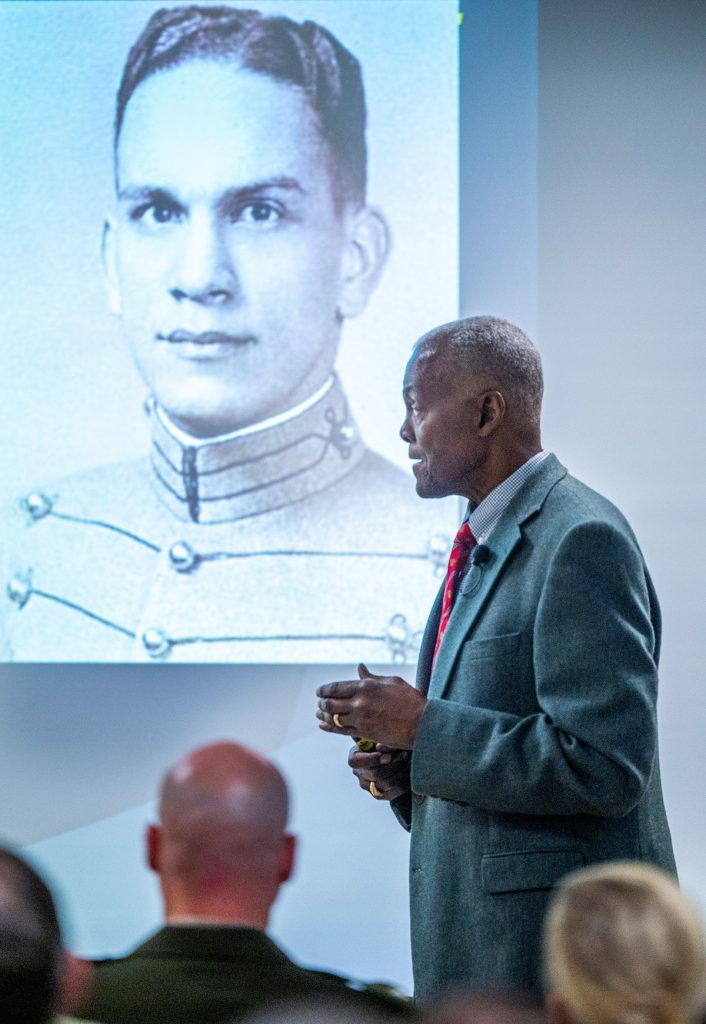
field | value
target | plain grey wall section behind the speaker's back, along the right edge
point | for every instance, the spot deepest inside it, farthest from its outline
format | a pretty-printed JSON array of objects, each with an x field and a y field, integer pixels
[{"x": 622, "y": 298}]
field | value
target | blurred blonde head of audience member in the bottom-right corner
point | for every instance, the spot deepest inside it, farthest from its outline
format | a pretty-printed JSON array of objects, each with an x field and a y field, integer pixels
[{"x": 624, "y": 946}]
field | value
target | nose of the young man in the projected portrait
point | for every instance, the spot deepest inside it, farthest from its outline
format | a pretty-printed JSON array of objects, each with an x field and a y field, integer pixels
[{"x": 202, "y": 271}]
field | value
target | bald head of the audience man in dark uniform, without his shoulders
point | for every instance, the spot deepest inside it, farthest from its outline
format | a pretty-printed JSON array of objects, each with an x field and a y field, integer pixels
[{"x": 222, "y": 849}]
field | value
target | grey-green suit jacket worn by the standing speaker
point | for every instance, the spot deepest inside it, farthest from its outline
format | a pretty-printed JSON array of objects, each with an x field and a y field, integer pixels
[{"x": 537, "y": 753}]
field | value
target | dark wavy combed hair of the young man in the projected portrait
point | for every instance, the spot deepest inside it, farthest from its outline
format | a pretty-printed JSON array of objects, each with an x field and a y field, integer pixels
[{"x": 304, "y": 55}]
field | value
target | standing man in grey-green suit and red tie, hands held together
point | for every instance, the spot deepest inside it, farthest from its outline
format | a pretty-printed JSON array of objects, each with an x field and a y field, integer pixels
[{"x": 529, "y": 747}]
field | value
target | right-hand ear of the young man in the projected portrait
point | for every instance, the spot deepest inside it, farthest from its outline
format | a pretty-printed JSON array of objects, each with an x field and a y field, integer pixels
[{"x": 366, "y": 252}]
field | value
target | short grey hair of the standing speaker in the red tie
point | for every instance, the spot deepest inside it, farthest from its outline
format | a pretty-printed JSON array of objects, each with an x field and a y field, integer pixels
[{"x": 494, "y": 349}]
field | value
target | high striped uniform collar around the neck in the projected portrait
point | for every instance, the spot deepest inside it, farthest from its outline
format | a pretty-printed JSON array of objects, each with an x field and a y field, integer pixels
[{"x": 260, "y": 468}]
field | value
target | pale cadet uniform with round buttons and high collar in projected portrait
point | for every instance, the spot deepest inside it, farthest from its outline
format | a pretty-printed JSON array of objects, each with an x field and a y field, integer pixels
[{"x": 287, "y": 542}]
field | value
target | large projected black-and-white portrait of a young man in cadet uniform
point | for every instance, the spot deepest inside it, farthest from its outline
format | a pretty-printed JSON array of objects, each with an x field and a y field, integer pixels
[{"x": 227, "y": 234}]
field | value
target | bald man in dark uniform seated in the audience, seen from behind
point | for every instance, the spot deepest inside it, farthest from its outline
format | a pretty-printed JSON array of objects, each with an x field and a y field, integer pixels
[{"x": 222, "y": 851}]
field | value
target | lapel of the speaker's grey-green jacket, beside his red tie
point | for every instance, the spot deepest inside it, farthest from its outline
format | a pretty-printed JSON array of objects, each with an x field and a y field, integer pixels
[{"x": 480, "y": 582}]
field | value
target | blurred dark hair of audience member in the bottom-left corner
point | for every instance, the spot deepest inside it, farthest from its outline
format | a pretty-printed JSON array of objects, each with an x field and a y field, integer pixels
[{"x": 30, "y": 945}]
